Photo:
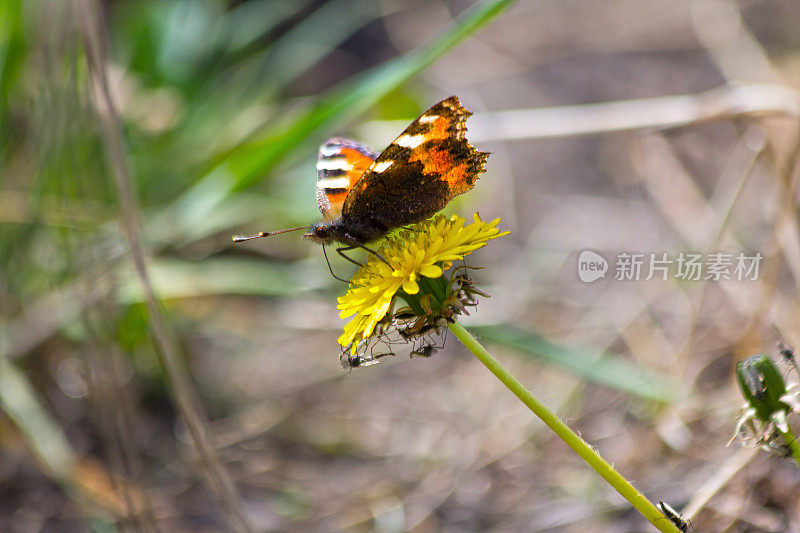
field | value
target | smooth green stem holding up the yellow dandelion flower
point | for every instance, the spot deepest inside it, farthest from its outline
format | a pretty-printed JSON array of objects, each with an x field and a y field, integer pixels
[{"x": 586, "y": 452}]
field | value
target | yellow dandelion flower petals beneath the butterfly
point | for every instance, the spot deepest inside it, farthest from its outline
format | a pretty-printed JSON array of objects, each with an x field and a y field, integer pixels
[{"x": 426, "y": 250}]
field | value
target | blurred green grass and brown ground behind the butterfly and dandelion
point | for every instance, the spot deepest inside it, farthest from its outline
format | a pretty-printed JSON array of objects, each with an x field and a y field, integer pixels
[{"x": 154, "y": 376}]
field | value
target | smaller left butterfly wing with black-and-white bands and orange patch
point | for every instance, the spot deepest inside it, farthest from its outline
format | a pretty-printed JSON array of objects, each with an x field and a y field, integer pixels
[{"x": 340, "y": 164}]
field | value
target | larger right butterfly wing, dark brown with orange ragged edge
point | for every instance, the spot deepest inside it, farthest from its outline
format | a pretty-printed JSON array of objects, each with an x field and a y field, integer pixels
[{"x": 419, "y": 173}]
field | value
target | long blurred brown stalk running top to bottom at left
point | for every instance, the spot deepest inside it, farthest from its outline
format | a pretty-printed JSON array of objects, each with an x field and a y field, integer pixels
[{"x": 217, "y": 478}]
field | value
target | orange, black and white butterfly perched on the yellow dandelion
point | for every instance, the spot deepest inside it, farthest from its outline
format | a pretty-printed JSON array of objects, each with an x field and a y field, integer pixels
[{"x": 363, "y": 194}]
